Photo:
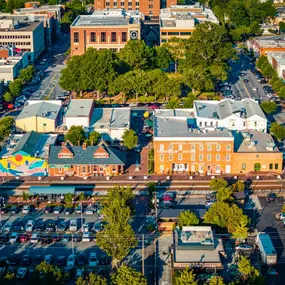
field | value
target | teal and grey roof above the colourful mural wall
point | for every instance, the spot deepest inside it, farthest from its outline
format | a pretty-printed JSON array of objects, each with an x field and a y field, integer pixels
[{"x": 33, "y": 143}]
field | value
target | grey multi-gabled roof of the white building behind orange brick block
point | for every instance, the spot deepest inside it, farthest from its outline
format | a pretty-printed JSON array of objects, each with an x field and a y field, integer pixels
[{"x": 218, "y": 110}]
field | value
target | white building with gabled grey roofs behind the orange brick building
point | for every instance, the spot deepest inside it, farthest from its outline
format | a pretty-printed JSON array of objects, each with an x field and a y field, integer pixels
[{"x": 230, "y": 114}]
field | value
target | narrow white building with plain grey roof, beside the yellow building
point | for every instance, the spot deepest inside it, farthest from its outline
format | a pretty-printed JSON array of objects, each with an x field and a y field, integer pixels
[{"x": 78, "y": 113}]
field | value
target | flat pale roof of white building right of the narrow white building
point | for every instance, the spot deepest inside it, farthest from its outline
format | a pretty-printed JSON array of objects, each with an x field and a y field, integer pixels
[{"x": 110, "y": 118}]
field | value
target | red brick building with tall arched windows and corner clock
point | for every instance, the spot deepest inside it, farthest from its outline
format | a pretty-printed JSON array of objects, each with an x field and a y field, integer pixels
[{"x": 108, "y": 29}]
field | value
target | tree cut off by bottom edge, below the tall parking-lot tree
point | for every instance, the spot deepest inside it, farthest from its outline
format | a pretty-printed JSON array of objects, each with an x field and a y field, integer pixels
[{"x": 127, "y": 275}]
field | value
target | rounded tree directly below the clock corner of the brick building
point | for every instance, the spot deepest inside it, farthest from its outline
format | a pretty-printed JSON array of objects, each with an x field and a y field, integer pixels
[{"x": 137, "y": 55}]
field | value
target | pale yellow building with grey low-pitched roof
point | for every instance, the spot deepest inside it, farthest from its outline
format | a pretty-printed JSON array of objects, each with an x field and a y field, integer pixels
[{"x": 39, "y": 116}]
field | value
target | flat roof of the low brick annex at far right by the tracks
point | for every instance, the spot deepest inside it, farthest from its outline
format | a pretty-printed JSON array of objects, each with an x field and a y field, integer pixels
[{"x": 254, "y": 141}]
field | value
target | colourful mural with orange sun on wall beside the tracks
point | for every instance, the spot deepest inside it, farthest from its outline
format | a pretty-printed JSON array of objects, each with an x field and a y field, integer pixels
[{"x": 22, "y": 164}]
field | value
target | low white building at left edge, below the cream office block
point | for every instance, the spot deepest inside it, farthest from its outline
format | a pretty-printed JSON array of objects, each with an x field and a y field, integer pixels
[{"x": 11, "y": 66}]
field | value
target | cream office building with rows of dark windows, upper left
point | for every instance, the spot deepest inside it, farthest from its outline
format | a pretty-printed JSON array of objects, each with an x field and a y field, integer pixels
[{"x": 26, "y": 34}]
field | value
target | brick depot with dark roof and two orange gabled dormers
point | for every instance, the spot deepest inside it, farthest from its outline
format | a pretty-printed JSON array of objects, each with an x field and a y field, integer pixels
[{"x": 85, "y": 161}]
